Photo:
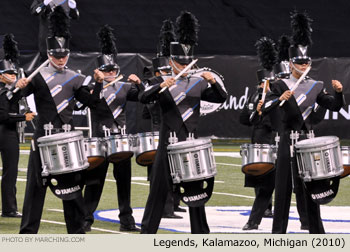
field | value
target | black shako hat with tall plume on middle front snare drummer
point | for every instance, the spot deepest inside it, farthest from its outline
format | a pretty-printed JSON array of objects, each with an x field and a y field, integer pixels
[{"x": 187, "y": 28}]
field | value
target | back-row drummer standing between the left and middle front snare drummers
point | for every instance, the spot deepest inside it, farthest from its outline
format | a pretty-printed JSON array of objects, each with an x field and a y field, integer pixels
[{"x": 104, "y": 115}]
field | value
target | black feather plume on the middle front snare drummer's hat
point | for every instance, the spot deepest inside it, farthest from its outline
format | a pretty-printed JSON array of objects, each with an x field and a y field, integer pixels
[{"x": 187, "y": 28}]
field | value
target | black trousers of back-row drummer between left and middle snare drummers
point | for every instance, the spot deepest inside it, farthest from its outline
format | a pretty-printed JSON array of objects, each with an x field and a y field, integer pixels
[{"x": 94, "y": 188}]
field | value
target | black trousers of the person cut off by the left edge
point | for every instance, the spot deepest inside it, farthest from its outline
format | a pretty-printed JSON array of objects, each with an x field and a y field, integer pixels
[{"x": 9, "y": 149}]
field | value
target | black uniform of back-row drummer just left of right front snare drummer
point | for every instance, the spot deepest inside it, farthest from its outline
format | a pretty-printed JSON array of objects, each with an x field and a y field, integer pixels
[{"x": 262, "y": 133}]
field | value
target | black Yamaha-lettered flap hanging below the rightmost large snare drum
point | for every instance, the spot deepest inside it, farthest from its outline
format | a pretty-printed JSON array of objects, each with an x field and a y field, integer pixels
[{"x": 323, "y": 191}]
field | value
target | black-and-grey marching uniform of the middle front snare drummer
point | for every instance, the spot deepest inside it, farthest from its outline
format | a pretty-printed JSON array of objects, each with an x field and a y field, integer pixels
[{"x": 182, "y": 119}]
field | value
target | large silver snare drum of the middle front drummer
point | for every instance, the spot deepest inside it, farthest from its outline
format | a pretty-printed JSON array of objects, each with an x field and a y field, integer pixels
[{"x": 191, "y": 160}]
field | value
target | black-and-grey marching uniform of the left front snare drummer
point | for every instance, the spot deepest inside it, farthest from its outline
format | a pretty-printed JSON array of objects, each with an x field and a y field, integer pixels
[{"x": 58, "y": 110}]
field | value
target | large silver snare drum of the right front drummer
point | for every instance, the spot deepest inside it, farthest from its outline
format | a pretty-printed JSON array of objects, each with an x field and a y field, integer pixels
[{"x": 319, "y": 158}]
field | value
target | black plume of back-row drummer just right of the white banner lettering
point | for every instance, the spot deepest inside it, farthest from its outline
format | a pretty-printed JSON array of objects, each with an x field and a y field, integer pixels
[{"x": 266, "y": 51}]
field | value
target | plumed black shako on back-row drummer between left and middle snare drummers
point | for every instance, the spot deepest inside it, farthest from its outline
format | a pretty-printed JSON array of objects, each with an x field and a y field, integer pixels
[{"x": 107, "y": 61}]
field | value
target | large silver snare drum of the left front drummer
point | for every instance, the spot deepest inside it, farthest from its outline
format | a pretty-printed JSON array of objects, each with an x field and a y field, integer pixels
[{"x": 62, "y": 153}]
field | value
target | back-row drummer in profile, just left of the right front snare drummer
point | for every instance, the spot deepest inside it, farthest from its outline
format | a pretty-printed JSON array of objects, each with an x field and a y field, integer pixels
[{"x": 262, "y": 133}]
